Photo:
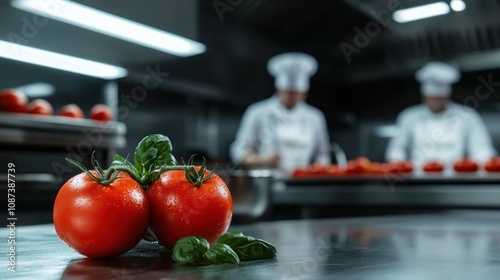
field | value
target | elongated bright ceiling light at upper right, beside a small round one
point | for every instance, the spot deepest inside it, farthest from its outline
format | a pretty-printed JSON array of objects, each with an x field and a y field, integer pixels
[{"x": 421, "y": 12}]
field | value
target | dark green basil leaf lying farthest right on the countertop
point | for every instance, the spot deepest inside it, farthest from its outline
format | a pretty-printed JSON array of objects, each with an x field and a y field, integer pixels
[{"x": 249, "y": 248}]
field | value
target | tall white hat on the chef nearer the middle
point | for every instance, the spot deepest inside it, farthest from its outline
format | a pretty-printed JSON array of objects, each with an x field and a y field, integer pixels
[{"x": 292, "y": 70}]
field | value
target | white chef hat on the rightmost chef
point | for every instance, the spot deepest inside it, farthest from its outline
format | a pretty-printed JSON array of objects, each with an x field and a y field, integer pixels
[{"x": 436, "y": 78}]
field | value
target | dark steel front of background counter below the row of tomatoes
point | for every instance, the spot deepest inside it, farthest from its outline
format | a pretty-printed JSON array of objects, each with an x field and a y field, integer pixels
[{"x": 447, "y": 190}]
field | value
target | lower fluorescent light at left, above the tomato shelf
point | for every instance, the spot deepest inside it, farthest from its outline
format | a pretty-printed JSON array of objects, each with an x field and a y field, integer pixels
[{"x": 60, "y": 61}]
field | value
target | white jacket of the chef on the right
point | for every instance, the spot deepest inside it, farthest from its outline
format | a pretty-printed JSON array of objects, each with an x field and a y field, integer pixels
[{"x": 448, "y": 136}]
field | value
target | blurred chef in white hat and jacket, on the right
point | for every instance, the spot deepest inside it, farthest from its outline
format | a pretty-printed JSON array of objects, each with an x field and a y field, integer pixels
[{"x": 439, "y": 129}]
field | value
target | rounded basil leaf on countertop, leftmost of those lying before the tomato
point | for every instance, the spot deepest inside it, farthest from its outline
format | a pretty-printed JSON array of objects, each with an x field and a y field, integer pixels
[{"x": 190, "y": 249}]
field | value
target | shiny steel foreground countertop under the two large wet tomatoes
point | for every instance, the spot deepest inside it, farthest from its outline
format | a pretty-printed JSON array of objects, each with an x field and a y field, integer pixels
[{"x": 447, "y": 245}]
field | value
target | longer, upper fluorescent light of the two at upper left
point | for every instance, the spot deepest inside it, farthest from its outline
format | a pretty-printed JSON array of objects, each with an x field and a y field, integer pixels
[{"x": 105, "y": 23}]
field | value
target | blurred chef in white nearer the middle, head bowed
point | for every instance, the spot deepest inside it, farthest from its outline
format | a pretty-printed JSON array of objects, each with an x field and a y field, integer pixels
[{"x": 284, "y": 132}]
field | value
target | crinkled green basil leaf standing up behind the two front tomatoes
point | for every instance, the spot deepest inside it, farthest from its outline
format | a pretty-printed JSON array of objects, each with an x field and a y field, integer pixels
[{"x": 152, "y": 152}]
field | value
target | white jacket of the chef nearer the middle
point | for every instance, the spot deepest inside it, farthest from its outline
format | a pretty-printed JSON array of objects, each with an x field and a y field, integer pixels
[{"x": 299, "y": 134}]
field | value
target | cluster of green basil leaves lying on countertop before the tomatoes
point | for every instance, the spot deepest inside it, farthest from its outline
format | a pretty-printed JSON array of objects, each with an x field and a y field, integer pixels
[{"x": 232, "y": 247}]
